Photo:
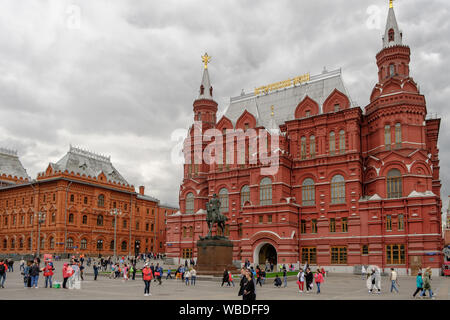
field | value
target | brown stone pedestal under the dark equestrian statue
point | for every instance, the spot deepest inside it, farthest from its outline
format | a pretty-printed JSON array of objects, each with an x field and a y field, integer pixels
[{"x": 214, "y": 255}]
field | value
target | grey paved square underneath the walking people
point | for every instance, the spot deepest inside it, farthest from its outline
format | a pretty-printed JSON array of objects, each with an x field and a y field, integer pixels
[{"x": 336, "y": 286}]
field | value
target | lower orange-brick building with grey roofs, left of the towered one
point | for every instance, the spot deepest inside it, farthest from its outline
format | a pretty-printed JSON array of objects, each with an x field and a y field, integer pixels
[{"x": 77, "y": 195}]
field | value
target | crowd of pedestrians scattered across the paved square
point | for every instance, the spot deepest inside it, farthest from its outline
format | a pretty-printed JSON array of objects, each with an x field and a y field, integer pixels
[{"x": 126, "y": 268}]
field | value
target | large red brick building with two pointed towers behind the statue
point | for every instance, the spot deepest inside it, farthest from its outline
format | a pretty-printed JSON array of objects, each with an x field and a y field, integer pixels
[{"x": 339, "y": 186}]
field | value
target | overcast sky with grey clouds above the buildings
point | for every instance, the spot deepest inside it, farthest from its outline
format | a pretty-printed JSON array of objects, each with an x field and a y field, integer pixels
[{"x": 119, "y": 77}]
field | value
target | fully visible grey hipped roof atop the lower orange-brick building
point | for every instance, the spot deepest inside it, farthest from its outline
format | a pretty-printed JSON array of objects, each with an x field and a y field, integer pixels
[{"x": 88, "y": 163}]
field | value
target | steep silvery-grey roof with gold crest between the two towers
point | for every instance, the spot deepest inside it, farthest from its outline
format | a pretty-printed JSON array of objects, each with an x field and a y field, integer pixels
[{"x": 286, "y": 100}]
